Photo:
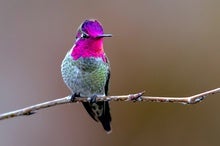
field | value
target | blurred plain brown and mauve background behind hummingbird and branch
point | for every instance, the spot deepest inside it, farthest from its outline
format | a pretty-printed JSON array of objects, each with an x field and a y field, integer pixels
[{"x": 166, "y": 47}]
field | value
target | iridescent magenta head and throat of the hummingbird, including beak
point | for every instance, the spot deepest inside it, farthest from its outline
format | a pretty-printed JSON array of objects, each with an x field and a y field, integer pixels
[{"x": 89, "y": 40}]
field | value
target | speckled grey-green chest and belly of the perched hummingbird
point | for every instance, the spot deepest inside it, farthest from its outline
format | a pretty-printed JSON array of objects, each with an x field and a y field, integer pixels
[{"x": 86, "y": 76}]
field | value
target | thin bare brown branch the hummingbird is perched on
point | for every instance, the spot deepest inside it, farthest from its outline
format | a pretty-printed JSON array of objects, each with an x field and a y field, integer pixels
[{"x": 131, "y": 97}]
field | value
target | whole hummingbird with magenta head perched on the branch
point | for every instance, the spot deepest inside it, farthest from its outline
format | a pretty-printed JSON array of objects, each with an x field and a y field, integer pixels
[{"x": 86, "y": 70}]
